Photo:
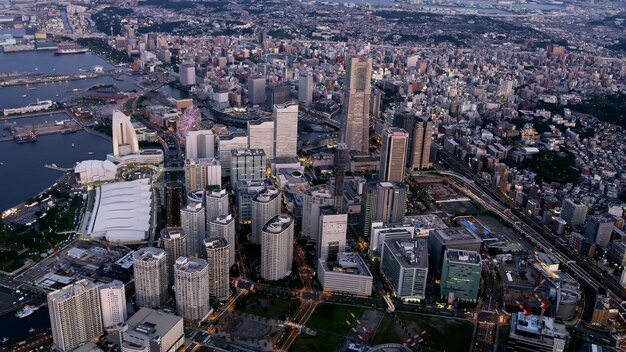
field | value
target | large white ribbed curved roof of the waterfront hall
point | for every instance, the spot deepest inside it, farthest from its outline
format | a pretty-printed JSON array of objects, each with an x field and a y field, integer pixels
[{"x": 122, "y": 211}]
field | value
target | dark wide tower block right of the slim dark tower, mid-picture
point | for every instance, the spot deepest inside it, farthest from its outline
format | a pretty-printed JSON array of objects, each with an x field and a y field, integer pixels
[{"x": 384, "y": 201}]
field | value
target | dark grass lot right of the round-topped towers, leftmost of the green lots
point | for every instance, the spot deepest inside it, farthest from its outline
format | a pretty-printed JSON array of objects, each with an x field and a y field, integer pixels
[{"x": 276, "y": 308}]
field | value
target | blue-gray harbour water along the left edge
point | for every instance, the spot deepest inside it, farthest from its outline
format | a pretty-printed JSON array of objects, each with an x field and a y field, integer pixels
[{"x": 22, "y": 172}]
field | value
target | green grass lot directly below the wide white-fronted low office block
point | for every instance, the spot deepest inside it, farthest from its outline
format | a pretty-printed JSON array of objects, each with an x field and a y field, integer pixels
[{"x": 332, "y": 318}]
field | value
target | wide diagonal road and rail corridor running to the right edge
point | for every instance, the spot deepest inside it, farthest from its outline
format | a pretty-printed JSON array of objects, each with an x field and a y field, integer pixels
[{"x": 537, "y": 233}]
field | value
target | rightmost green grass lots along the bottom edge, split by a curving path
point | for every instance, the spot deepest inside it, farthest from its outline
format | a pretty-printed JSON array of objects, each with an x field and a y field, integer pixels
[{"x": 442, "y": 334}]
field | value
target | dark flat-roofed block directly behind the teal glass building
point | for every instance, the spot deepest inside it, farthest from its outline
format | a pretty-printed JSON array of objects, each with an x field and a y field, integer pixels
[{"x": 440, "y": 240}]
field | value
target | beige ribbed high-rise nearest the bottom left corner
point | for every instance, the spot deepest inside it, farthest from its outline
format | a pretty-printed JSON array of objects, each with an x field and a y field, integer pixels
[{"x": 74, "y": 315}]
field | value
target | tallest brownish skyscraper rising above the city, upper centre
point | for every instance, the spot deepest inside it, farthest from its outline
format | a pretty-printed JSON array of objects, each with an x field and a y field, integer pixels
[{"x": 356, "y": 105}]
